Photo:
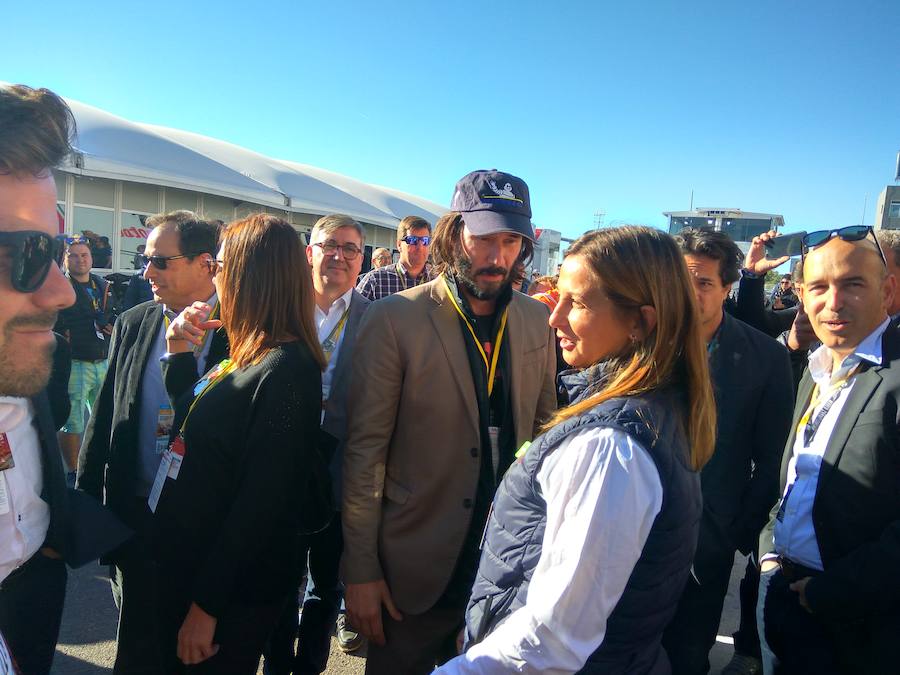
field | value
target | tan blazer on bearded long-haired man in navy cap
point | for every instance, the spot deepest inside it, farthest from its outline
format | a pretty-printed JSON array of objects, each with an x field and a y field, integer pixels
[{"x": 411, "y": 461}]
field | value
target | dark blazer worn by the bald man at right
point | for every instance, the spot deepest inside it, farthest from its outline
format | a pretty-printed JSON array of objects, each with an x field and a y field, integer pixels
[{"x": 856, "y": 513}]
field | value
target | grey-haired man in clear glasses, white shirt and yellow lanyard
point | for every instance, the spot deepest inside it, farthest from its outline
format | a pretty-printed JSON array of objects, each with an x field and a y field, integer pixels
[{"x": 335, "y": 254}]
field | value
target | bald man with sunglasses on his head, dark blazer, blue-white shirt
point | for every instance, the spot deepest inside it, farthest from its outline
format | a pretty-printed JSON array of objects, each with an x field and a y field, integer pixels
[{"x": 830, "y": 591}]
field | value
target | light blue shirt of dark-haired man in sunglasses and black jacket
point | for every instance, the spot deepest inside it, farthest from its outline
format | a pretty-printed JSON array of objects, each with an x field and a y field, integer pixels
[{"x": 155, "y": 398}]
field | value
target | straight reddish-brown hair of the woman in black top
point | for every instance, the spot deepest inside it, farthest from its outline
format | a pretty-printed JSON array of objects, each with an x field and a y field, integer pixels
[{"x": 267, "y": 294}]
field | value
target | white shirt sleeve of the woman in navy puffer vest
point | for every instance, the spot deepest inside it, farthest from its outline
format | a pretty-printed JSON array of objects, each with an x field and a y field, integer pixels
[{"x": 578, "y": 580}]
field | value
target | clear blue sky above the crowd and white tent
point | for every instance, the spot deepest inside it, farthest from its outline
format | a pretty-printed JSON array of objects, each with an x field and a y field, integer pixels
[{"x": 784, "y": 107}]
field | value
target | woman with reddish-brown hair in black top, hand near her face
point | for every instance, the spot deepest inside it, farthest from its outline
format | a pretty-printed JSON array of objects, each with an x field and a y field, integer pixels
[{"x": 226, "y": 500}]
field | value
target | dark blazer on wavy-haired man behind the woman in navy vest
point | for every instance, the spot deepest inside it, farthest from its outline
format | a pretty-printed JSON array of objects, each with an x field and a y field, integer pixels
[{"x": 754, "y": 402}]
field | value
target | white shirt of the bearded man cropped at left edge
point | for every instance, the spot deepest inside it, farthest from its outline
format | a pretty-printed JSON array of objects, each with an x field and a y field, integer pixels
[{"x": 23, "y": 528}]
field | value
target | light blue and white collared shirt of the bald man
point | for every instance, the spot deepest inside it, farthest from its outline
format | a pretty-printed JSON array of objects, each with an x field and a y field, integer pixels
[{"x": 795, "y": 534}]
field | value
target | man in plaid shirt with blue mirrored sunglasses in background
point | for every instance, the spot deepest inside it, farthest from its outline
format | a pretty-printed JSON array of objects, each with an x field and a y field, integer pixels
[{"x": 414, "y": 241}]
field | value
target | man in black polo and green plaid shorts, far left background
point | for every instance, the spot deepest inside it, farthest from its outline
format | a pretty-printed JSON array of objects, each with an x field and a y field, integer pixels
[{"x": 86, "y": 325}]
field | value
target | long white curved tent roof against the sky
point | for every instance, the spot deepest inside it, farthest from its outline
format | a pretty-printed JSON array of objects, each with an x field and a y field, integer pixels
[{"x": 112, "y": 147}]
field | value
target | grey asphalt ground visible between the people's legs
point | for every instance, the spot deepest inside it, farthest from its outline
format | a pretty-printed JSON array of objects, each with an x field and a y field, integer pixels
[{"x": 87, "y": 638}]
